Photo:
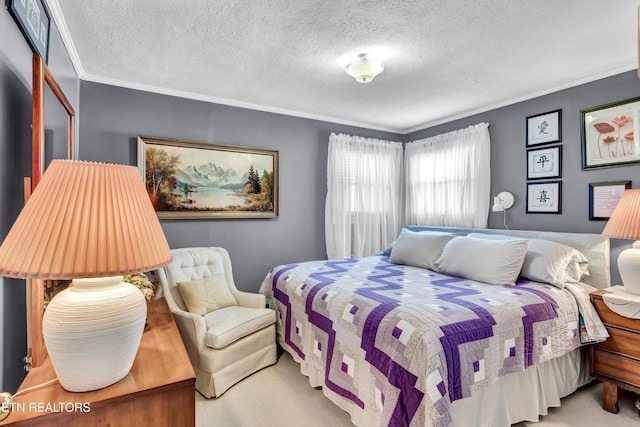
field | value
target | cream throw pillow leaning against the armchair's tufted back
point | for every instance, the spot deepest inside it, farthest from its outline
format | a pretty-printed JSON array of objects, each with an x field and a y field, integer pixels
[{"x": 202, "y": 296}]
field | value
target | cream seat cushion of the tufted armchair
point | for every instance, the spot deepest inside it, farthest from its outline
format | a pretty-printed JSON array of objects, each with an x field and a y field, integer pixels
[{"x": 229, "y": 324}]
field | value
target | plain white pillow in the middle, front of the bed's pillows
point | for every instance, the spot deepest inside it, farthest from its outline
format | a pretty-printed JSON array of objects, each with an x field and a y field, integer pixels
[{"x": 496, "y": 262}]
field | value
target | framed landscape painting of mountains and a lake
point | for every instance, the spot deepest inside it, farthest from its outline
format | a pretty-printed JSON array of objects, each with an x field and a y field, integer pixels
[{"x": 187, "y": 179}]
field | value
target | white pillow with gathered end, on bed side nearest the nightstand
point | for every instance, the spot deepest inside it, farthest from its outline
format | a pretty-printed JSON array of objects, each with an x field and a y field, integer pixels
[{"x": 548, "y": 262}]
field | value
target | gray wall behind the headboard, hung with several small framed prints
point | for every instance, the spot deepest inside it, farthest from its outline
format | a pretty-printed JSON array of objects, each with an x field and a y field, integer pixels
[{"x": 508, "y": 156}]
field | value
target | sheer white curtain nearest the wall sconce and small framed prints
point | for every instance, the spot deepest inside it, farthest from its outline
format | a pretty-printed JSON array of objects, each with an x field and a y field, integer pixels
[{"x": 448, "y": 178}]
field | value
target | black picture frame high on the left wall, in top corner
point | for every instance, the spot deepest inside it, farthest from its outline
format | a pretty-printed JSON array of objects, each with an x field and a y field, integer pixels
[{"x": 34, "y": 21}]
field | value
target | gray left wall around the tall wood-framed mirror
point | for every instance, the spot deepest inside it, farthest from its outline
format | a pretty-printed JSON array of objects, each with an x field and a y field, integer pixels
[{"x": 15, "y": 163}]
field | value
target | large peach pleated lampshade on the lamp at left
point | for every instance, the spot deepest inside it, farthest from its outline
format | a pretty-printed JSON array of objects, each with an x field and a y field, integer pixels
[{"x": 85, "y": 220}]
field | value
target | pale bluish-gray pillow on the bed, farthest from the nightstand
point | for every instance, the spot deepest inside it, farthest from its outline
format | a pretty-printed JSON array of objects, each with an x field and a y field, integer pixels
[{"x": 419, "y": 248}]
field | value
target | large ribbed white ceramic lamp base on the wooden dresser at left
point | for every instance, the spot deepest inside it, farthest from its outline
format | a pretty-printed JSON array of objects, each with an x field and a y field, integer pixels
[{"x": 92, "y": 332}]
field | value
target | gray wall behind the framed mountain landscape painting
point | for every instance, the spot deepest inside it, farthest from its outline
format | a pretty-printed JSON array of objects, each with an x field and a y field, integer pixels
[{"x": 112, "y": 117}]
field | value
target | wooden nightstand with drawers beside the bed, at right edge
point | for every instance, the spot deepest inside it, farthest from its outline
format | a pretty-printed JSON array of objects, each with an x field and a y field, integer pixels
[{"x": 615, "y": 361}]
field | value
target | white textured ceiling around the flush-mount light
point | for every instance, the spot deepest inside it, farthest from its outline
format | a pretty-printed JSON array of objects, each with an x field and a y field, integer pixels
[{"x": 444, "y": 59}]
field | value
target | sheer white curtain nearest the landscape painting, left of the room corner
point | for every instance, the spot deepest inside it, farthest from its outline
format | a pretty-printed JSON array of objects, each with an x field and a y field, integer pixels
[{"x": 364, "y": 193}]
